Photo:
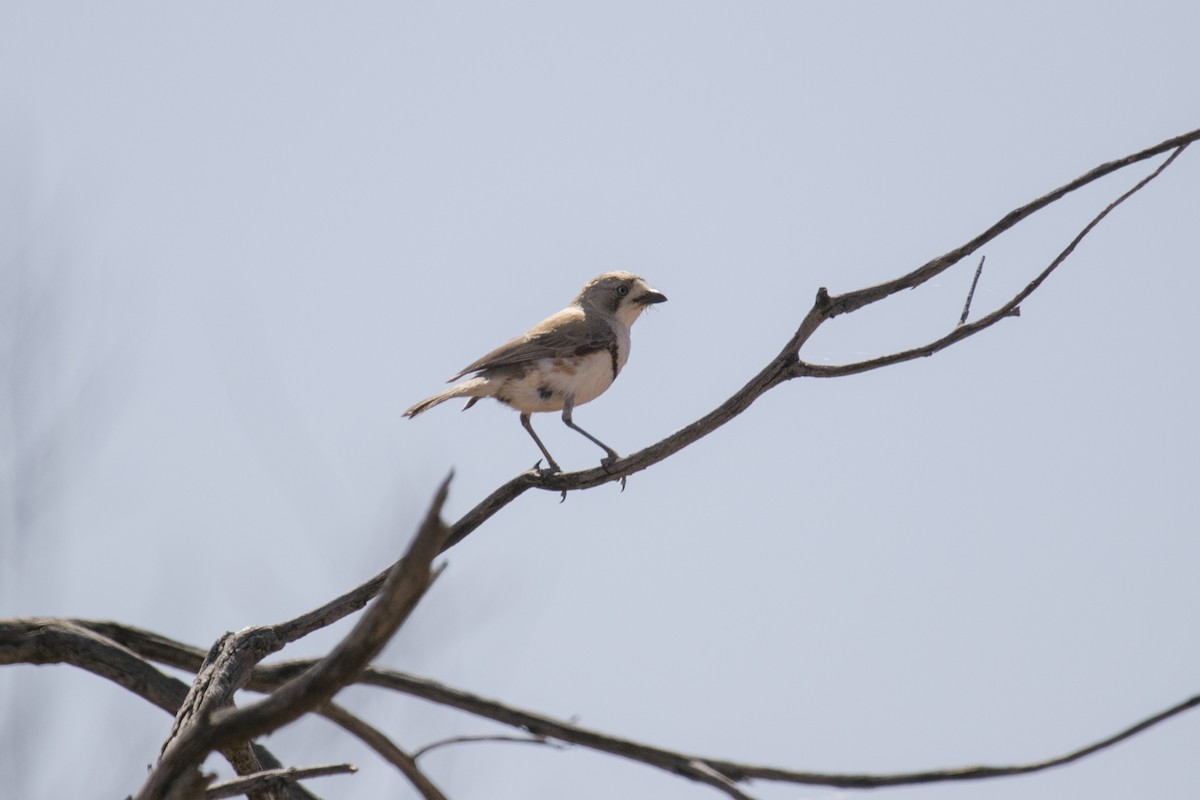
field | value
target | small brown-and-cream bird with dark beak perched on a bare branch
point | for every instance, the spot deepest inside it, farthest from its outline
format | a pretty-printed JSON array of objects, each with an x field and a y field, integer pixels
[{"x": 563, "y": 362}]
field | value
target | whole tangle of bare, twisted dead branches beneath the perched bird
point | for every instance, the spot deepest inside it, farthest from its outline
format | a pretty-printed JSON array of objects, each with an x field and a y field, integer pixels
[{"x": 206, "y": 717}]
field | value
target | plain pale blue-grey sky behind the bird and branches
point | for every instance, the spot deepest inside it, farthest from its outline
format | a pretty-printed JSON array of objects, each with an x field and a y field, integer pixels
[{"x": 238, "y": 240}]
